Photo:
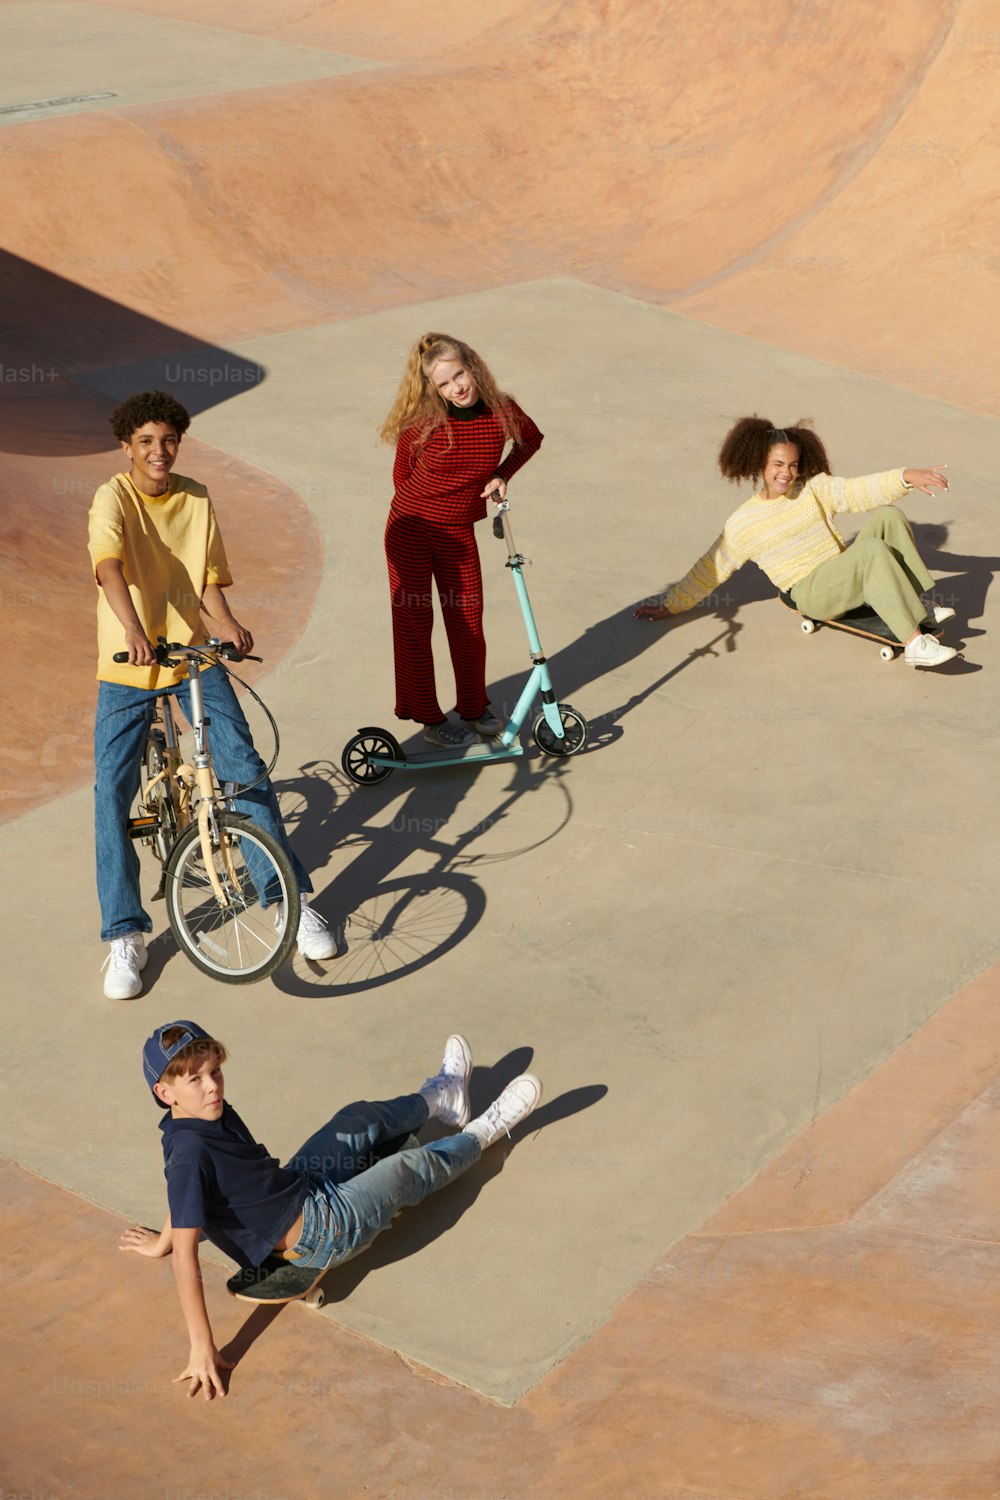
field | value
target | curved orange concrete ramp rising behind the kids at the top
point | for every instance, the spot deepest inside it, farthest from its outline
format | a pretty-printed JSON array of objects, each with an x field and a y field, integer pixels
[{"x": 795, "y": 176}]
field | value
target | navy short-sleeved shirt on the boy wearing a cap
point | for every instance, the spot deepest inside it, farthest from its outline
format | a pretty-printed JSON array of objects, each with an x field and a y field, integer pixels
[{"x": 223, "y": 1183}]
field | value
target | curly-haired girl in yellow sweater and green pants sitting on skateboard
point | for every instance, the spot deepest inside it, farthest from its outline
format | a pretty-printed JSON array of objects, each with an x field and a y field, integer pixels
[{"x": 789, "y": 532}]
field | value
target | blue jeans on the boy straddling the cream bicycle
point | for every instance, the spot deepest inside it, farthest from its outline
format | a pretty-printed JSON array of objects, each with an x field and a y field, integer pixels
[{"x": 122, "y": 725}]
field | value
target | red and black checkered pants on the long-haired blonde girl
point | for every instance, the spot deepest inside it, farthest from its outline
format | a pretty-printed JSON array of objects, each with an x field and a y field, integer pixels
[{"x": 421, "y": 553}]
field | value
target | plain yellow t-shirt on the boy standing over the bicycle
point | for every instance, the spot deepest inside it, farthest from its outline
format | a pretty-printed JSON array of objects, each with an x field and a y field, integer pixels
[{"x": 170, "y": 550}]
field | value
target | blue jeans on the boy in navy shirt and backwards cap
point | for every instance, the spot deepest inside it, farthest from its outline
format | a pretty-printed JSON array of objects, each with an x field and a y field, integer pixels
[{"x": 344, "y": 1213}]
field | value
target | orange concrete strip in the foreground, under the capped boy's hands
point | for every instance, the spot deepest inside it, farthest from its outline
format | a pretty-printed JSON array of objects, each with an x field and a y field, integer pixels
[{"x": 828, "y": 1336}]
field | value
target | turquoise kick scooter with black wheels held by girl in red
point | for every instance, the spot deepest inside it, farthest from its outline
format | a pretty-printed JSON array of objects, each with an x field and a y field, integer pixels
[{"x": 558, "y": 730}]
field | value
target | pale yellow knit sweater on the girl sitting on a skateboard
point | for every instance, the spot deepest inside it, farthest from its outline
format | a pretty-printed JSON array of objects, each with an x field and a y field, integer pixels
[{"x": 786, "y": 538}]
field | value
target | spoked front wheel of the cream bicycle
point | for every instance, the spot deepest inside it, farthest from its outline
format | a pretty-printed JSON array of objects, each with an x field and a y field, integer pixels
[{"x": 239, "y": 940}]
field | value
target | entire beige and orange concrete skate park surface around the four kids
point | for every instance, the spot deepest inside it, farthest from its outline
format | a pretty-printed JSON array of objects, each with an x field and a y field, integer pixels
[{"x": 747, "y": 938}]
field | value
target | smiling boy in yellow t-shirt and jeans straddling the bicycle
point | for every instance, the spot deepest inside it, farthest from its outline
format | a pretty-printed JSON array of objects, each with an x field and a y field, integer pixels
[{"x": 160, "y": 562}]
